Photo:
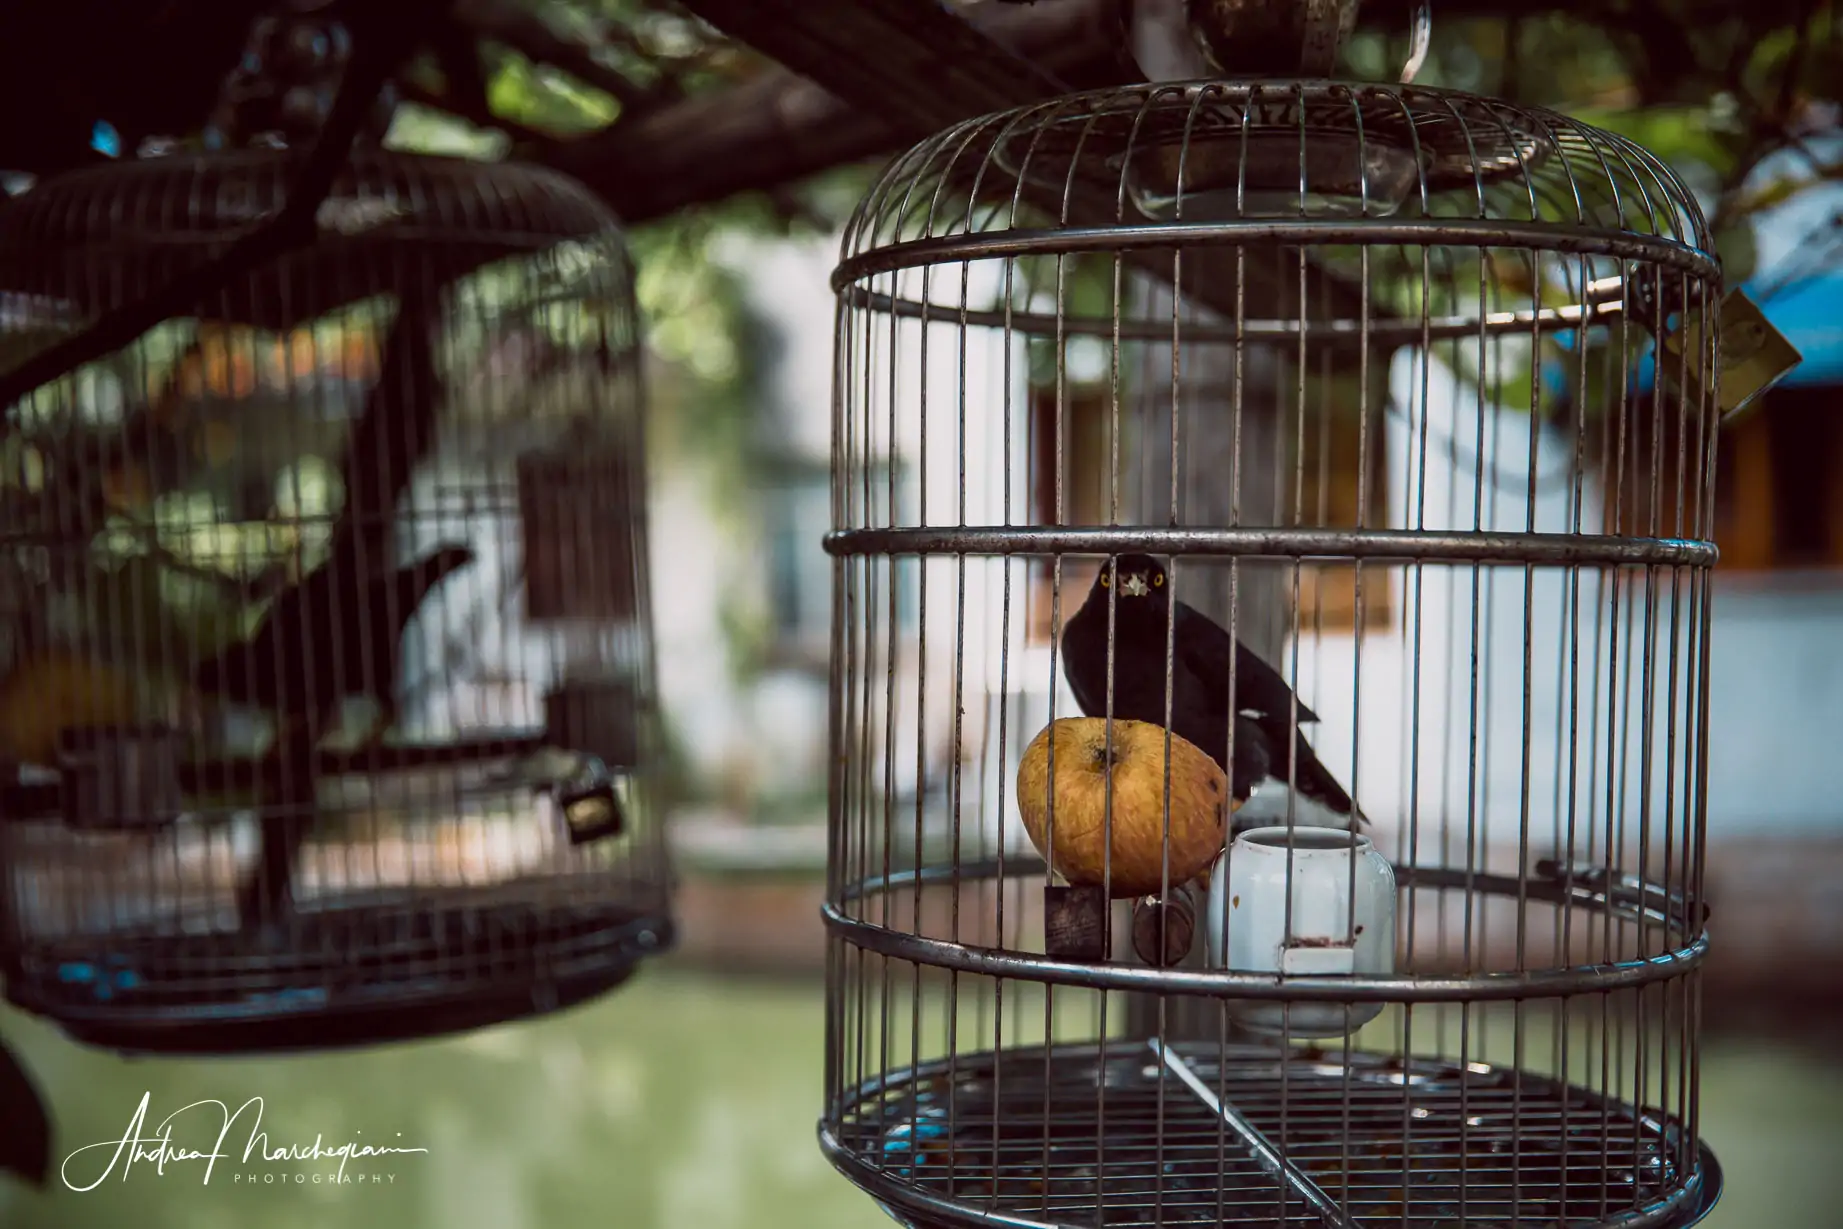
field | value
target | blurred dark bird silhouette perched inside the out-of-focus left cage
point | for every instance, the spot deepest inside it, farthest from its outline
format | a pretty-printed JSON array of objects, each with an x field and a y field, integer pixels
[{"x": 335, "y": 635}]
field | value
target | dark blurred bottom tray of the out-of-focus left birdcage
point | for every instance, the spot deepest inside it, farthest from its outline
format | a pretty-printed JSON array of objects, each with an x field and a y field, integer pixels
[{"x": 335, "y": 977}]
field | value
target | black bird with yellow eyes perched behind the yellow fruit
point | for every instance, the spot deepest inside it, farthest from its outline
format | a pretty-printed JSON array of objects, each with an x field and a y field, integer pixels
[{"x": 1199, "y": 683}]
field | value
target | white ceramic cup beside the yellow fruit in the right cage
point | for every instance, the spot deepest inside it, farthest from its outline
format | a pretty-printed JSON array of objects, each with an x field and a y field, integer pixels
[{"x": 1335, "y": 931}]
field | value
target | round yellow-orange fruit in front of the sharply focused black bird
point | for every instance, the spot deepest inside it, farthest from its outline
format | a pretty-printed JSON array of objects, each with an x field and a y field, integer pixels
[{"x": 1133, "y": 863}]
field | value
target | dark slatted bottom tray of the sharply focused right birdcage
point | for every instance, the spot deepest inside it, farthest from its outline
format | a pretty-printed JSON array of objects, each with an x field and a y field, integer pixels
[{"x": 1072, "y": 1138}]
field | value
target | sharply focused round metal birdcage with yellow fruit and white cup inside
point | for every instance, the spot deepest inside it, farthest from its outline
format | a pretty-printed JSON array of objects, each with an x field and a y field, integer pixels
[{"x": 1392, "y": 384}]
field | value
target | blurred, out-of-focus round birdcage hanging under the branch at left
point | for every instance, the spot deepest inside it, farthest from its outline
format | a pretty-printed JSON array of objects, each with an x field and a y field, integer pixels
[{"x": 327, "y": 701}]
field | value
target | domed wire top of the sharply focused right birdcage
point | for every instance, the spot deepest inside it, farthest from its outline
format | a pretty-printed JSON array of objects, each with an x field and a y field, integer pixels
[{"x": 1346, "y": 169}]
